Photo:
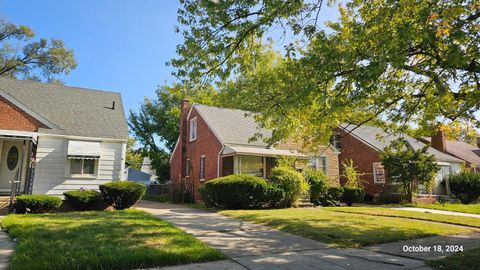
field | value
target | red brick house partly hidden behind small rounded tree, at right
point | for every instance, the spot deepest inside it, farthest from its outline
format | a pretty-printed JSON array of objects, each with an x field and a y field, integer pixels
[{"x": 363, "y": 144}]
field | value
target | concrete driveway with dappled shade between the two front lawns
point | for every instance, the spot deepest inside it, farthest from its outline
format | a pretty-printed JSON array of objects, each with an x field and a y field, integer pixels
[{"x": 252, "y": 246}]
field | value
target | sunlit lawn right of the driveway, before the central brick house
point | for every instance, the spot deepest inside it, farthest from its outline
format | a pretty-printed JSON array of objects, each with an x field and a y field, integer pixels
[{"x": 344, "y": 229}]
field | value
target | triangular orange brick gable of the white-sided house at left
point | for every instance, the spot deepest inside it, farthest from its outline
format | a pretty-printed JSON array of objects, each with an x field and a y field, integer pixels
[{"x": 13, "y": 118}]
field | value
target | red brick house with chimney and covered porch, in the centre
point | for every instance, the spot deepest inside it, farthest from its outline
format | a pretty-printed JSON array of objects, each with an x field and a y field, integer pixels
[{"x": 215, "y": 142}]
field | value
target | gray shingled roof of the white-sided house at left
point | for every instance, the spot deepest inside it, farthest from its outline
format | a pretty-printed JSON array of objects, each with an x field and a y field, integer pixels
[{"x": 73, "y": 110}]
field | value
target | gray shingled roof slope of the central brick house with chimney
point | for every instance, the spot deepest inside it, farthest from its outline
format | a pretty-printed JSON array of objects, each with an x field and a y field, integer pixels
[{"x": 232, "y": 126}]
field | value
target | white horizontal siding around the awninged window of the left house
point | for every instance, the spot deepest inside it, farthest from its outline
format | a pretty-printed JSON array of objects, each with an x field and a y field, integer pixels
[{"x": 51, "y": 172}]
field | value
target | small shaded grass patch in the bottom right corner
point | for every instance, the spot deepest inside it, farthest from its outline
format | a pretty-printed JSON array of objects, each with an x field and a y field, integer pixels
[{"x": 467, "y": 260}]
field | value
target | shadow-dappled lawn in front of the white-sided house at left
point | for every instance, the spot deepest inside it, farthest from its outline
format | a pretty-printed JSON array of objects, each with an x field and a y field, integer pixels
[{"x": 127, "y": 239}]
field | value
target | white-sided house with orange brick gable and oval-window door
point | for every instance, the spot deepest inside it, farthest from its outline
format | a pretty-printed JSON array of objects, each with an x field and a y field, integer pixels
[{"x": 70, "y": 138}]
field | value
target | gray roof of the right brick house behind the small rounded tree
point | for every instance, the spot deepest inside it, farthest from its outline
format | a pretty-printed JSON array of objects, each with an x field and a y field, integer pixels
[{"x": 379, "y": 139}]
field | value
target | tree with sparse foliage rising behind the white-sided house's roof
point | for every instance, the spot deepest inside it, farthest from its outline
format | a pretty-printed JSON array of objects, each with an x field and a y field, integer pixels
[{"x": 22, "y": 57}]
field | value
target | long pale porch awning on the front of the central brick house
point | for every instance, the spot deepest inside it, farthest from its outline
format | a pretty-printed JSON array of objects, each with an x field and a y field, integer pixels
[{"x": 259, "y": 151}]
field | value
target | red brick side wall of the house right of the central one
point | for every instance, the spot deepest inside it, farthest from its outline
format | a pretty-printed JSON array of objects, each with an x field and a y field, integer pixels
[{"x": 363, "y": 157}]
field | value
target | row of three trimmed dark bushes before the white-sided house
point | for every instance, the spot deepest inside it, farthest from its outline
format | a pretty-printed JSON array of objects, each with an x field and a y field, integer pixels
[{"x": 120, "y": 195}]
